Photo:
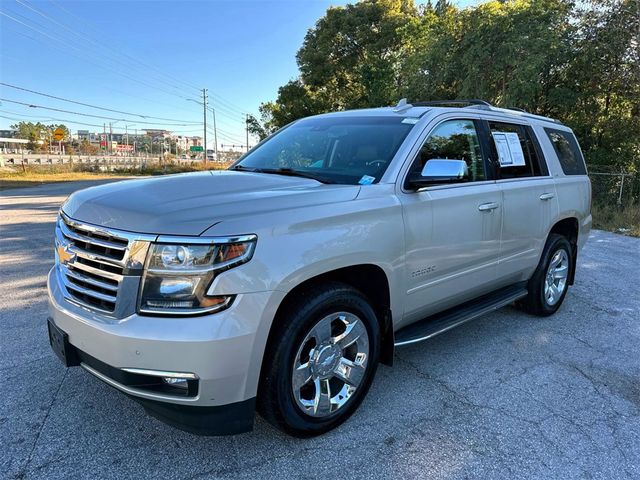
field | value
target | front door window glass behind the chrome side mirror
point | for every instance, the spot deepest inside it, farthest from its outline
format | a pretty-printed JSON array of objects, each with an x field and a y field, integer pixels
[{"x": 453, "y": 140}]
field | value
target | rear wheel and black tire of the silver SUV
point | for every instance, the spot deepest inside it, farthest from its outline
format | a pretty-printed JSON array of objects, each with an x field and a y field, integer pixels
[{"x": 549, "y": 284}]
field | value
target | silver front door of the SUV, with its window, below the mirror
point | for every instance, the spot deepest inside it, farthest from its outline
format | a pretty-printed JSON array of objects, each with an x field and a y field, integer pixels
[{"x": 452, "y": 232}]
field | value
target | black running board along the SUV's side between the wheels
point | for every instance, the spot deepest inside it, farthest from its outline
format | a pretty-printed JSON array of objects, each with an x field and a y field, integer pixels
[{"x": 443, "y": 321}]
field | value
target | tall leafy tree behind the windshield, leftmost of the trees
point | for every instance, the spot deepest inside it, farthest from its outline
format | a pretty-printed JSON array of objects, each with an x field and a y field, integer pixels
[{"x": 350, "y": 59}]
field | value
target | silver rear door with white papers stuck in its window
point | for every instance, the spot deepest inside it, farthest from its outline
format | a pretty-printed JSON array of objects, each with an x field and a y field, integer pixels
[{"x": 528, "y": 197}]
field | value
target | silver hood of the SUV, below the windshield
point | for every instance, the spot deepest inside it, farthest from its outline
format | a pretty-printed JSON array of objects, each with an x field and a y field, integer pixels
[{"x": 188, "y": 204}]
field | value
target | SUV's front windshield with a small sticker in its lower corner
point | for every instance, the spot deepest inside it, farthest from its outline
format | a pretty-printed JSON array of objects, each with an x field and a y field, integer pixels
[{"x": 333, "y": 149}]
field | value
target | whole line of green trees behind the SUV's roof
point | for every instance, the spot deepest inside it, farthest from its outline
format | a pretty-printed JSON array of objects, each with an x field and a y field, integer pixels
[{"x": 575, "y": 61}]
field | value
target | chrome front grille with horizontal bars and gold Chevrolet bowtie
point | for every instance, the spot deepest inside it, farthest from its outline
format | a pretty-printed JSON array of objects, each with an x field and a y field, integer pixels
[{"x": 94, "y": 263}]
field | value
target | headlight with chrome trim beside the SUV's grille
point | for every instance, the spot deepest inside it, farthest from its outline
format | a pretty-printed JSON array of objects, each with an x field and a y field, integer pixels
[{"x": 178, "y": 275}]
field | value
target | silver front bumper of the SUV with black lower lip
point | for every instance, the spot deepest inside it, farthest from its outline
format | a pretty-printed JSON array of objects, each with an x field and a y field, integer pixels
[{"x": 223, "y": 350}]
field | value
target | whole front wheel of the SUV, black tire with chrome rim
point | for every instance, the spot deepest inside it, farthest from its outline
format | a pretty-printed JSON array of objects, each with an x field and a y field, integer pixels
[{"x": 321, "y": 360}]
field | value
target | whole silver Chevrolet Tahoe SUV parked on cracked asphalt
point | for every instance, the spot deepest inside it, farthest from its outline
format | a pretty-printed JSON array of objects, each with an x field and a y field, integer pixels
[{"x": 280, "y": 284}]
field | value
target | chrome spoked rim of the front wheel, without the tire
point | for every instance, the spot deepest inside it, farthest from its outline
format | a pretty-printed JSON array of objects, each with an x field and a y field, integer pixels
[{"x": 330, "y": 364}]
